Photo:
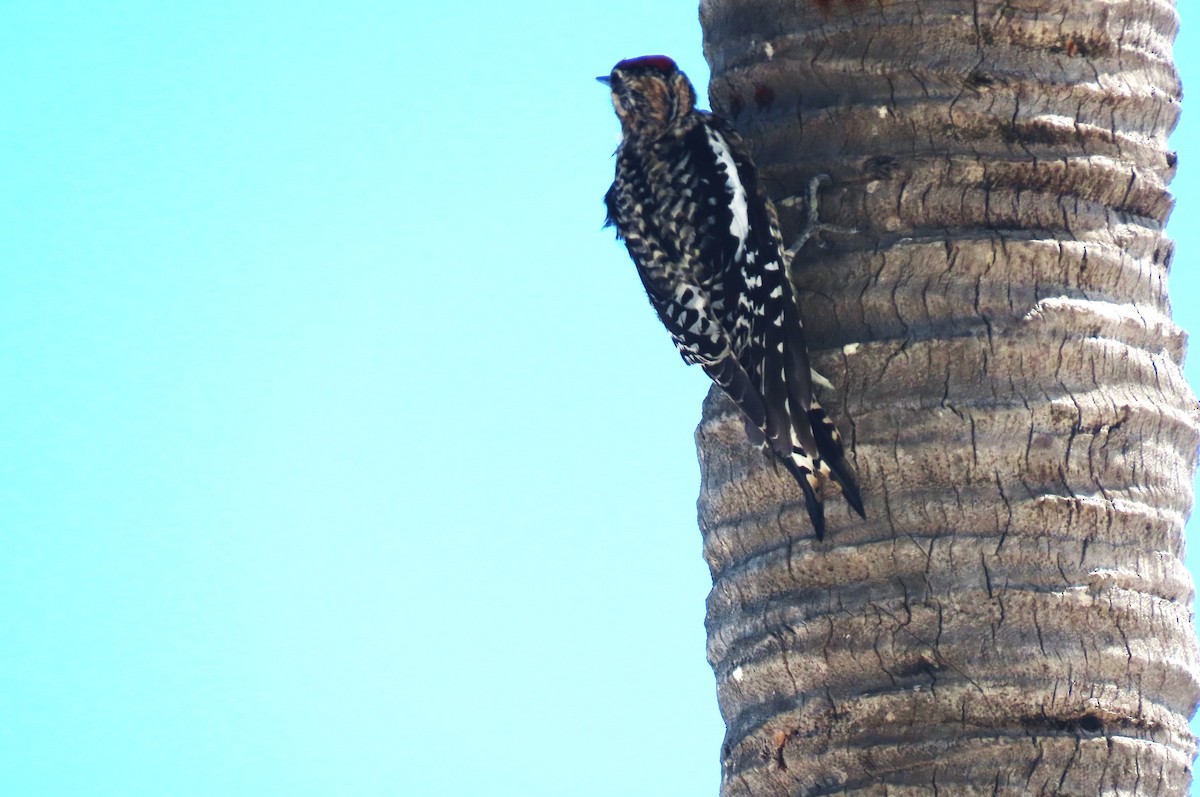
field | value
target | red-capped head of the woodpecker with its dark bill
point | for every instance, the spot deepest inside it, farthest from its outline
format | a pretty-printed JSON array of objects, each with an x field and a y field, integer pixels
[{"x": 650, "y": 94}]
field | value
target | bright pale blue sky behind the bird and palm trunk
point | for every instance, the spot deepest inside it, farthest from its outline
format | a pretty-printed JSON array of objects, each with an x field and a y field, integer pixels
[{"x": 343, "y": 456}]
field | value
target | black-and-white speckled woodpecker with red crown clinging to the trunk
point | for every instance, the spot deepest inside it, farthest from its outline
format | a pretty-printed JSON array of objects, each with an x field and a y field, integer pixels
[{"x": 707, "y": 245}]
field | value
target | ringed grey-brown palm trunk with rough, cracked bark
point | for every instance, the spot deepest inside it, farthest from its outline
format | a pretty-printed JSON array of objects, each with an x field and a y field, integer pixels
[{"x": 1015, "y": 616}]
